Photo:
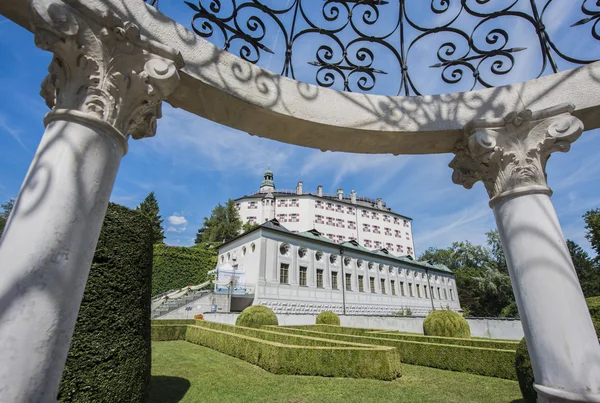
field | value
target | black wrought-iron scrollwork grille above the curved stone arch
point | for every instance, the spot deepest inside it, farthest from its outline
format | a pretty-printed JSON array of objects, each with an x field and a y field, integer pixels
[{"x": 361, "y": 41}]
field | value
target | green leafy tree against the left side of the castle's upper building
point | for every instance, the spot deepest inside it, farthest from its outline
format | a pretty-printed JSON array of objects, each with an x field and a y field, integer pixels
[{"x": 224, "y": 223}]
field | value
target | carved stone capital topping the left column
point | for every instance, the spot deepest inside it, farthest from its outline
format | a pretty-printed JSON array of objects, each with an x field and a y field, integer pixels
[{"x": 103, "y": 71}]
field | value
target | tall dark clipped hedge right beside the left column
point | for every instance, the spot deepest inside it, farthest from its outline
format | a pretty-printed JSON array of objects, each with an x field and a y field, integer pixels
[{"x": 109, "y": 355}]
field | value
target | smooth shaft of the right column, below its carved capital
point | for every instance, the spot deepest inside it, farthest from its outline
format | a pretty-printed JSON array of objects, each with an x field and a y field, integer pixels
[{"x": 564, "y": 349}]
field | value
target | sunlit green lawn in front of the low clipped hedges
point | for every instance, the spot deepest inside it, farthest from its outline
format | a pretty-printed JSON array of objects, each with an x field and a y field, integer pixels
[{"x": 186, "y": 372}]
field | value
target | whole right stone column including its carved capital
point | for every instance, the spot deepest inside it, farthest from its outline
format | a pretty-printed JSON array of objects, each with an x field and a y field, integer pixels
[{"x": 509, "y": 156}]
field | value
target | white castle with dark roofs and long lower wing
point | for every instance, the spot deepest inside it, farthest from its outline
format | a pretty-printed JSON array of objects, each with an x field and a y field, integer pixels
[{"x": 317, "y": 252}]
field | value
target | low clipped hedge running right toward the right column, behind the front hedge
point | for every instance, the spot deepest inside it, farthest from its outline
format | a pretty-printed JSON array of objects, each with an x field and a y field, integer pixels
[{"x": 475, "y": 360}]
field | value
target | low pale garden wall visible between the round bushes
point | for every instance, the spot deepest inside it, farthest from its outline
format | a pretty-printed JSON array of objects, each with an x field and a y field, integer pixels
[{"x": 490, "y": 328}]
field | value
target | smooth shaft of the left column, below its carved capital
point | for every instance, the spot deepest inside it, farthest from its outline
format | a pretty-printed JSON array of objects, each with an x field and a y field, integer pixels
[{"x": 46, "y": 253}]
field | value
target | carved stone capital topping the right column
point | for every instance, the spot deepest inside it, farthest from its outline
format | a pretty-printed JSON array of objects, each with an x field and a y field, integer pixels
[{"x": 509, "y": 155}]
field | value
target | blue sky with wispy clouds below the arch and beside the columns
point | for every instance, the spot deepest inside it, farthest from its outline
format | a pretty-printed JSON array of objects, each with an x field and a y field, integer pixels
[{"x": 192, "y": 163}]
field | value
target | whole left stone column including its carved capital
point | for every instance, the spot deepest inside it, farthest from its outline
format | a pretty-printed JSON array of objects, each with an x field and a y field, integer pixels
[{"x": 106, "y": 83}]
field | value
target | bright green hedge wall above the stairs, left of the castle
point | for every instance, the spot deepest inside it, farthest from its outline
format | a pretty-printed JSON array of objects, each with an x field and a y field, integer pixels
[{"x": 178, "y": 266}]
